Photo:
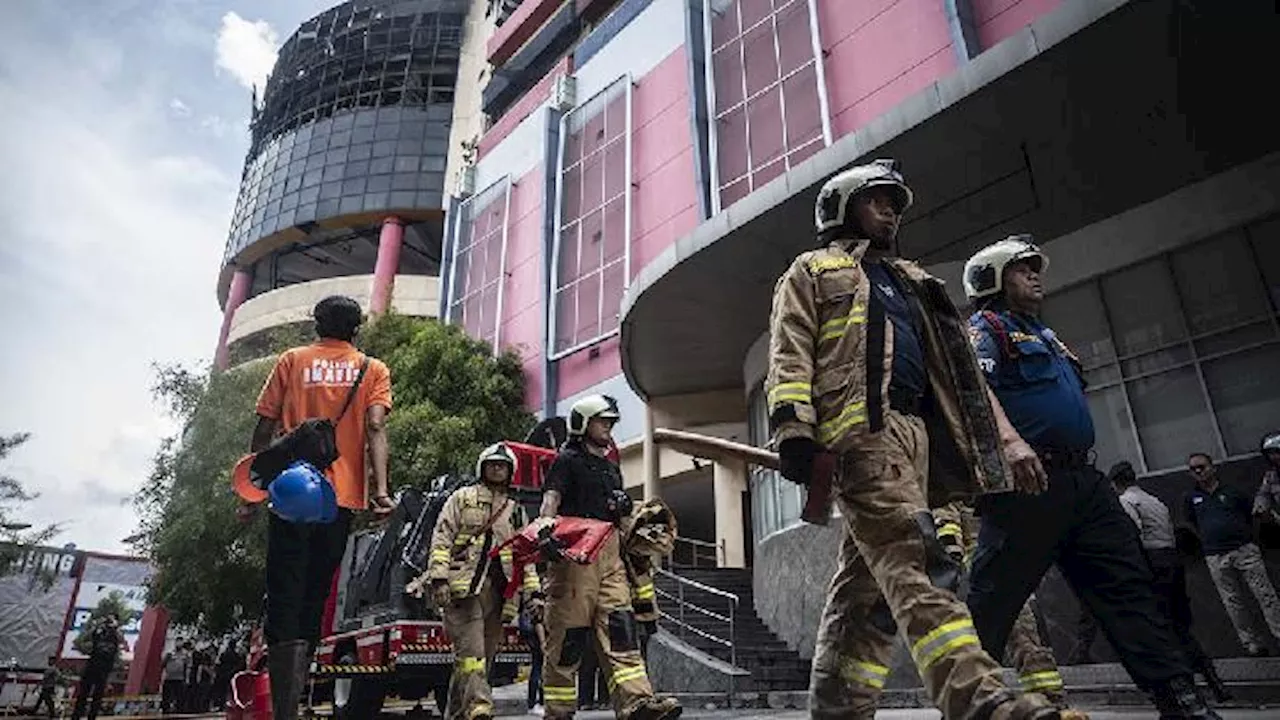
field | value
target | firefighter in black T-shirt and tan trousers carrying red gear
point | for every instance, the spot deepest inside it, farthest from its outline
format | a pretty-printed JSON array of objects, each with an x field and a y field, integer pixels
[{"x": 589, "y": 607}]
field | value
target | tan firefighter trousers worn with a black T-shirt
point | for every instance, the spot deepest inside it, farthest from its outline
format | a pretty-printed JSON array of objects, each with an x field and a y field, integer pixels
[{"x": 589, "y": 610}]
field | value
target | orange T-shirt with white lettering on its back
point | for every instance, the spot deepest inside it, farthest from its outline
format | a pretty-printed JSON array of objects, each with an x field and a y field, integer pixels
[{"x": 313, "y": 382}]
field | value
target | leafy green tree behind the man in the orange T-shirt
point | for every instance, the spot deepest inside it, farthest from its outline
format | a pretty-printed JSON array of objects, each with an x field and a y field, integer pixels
[{"x": 452, "y": 398}]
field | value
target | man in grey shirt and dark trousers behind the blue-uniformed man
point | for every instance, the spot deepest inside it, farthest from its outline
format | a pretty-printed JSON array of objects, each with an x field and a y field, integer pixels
[{"x": 1156, "y": 535}]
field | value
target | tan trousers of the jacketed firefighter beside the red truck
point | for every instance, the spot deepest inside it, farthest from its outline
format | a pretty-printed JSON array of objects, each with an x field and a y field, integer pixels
[{"x": 474, "y": 625}]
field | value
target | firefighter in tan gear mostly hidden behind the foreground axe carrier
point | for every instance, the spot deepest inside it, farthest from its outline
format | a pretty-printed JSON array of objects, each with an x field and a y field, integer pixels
[{"x": 1026, "y": 653}]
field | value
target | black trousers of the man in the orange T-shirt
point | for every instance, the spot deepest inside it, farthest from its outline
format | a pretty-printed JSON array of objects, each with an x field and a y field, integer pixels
[{"x": 300, "y": 564}]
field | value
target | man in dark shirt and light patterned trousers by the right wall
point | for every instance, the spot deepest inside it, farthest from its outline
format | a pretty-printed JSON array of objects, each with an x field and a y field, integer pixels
[{"x": 1224, "y": 520}]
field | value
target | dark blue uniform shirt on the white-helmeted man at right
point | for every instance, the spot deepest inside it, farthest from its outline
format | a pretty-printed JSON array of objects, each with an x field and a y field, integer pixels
[{"x": 1037, "y": 385}]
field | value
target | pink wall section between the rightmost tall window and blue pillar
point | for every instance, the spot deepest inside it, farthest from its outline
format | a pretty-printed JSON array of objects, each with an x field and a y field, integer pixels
[{"x": 879, "y": 53}]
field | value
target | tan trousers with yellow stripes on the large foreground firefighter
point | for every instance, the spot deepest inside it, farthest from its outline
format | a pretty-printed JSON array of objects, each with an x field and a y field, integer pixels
[{"x": 893, "y": 576}]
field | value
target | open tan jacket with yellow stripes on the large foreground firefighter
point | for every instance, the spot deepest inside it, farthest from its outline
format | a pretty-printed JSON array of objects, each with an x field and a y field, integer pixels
[{"x": 831, "y": 357}]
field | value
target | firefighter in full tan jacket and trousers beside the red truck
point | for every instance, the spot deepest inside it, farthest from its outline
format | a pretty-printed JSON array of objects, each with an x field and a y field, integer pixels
[{"x": 468, "y": 586}]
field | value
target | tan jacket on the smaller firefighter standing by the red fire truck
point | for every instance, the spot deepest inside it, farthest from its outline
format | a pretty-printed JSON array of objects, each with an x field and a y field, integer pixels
[{"x": 461, "y": 545}]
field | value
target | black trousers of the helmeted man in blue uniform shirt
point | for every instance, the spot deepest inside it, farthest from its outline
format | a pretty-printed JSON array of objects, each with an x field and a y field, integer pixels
[{"x": 1078, "y": 525}]
